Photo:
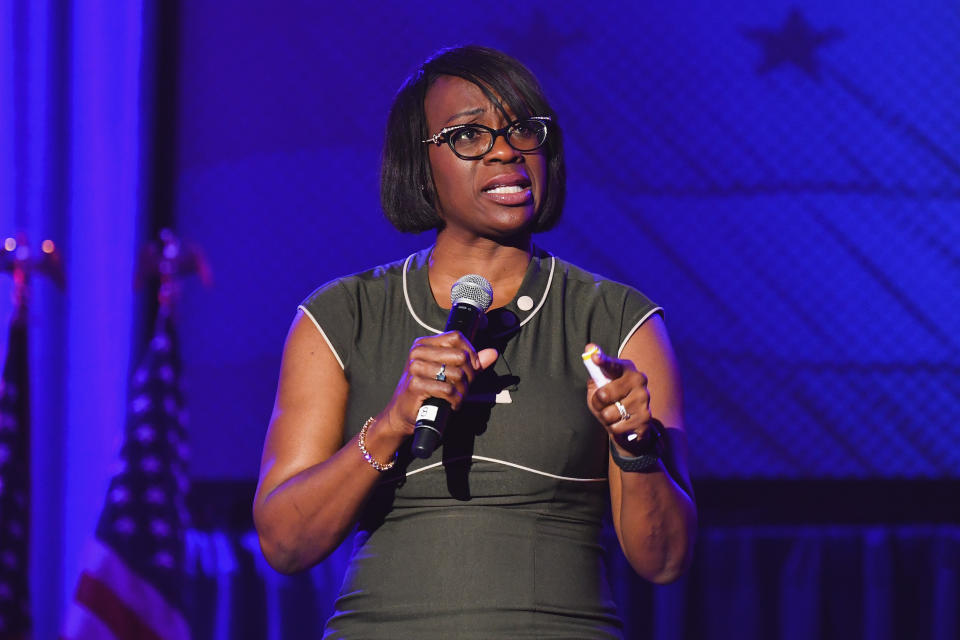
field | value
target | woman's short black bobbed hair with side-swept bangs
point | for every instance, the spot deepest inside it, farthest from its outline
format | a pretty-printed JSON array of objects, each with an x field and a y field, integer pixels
[{"x": 407, "y": 193}]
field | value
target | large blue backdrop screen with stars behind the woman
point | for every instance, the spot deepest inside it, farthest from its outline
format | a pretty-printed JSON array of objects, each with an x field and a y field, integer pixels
[{"x": 783, "y": 178}]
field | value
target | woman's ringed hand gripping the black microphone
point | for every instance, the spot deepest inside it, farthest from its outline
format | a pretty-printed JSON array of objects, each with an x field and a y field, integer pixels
[{"x": 460, "y": 363}]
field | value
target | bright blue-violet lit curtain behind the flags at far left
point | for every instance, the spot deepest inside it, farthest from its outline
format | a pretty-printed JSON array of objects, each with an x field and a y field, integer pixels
[{"x": 75, "y": 156}]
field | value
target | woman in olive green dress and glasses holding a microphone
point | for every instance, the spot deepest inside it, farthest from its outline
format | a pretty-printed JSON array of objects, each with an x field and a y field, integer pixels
[{"x": 497, "y": 533}]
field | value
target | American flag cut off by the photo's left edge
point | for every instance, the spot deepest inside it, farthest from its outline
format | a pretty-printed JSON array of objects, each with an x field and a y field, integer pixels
[{"x": 14, "y": 483}]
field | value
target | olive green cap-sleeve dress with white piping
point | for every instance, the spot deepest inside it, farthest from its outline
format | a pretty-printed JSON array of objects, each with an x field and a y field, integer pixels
[{"x": 497, "y": 534}]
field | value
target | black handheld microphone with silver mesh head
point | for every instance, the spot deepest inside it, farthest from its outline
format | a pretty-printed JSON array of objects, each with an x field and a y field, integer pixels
[{"x": 470, "y": 298}]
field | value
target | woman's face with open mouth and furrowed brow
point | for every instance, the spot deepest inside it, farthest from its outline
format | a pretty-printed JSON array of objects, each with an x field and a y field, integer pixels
[{"x": 496, "y": 196}]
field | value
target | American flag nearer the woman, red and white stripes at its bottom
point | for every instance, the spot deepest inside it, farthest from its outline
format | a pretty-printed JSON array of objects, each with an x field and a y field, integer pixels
[{"x": 132, "y": 576}]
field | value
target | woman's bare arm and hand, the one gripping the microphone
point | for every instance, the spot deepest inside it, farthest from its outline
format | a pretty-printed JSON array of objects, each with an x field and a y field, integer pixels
[{"x": 312, "y": 485}]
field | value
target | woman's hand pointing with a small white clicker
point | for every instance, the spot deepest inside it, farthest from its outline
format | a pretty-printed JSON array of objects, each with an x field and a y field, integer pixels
[{"x": 622, "y": 405}]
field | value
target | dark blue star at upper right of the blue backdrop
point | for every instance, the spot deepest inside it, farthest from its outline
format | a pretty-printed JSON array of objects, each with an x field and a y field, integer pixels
[{"x": 796, "y": 42}]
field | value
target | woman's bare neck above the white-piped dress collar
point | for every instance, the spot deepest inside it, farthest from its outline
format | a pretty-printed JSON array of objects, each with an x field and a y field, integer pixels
[{"x": 503, "y": 264}]
